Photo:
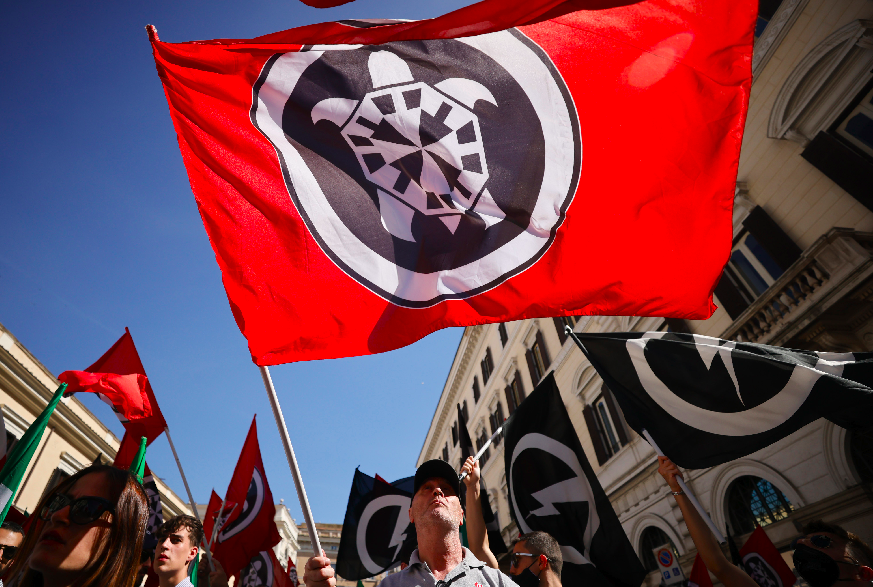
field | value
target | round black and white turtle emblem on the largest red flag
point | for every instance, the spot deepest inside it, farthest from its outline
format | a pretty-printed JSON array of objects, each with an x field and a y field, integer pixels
[{"x": 426, "y": 170}]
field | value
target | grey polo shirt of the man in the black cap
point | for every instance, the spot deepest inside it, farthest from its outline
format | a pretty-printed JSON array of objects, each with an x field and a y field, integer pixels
[{"x": 470, "y": 572}]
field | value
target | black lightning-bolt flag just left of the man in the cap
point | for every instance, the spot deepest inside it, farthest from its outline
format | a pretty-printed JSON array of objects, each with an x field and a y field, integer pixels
[{"x": 376, "y": 528}]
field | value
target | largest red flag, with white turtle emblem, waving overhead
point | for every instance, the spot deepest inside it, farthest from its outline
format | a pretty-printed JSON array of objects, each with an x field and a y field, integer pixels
[{"x": 364, "y": 184}]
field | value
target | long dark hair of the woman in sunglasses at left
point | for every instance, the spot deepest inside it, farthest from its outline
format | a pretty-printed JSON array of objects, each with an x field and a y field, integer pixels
[{"x": 116, "y": 555}]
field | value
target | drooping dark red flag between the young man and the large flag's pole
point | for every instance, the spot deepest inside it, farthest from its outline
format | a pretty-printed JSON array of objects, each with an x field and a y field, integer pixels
[{"x": 251, "y": 528}]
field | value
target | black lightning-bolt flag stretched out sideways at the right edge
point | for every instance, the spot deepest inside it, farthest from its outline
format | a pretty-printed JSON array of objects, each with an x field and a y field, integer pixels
[{"x": 707, "y": 401}]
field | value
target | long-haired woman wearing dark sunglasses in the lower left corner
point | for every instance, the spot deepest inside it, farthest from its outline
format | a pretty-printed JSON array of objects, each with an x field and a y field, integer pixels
[{"x": 89, "y": 532}]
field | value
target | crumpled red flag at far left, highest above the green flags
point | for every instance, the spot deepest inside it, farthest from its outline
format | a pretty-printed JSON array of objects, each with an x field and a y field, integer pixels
[{"x": 123, "y": 360}]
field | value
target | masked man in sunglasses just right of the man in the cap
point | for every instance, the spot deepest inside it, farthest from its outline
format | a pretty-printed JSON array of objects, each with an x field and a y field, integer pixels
[{"x": 536, "y": 560}]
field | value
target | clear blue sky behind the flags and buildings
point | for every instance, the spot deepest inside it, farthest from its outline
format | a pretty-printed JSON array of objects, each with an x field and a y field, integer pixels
[{"x": 99, "y": 230}]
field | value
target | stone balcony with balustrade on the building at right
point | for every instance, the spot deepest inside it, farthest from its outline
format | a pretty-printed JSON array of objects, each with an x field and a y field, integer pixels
[{"x": 833, "y": 265}]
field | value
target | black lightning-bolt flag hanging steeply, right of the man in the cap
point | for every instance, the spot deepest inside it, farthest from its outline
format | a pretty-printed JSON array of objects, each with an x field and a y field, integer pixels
[{"x": 552, "y": 488}]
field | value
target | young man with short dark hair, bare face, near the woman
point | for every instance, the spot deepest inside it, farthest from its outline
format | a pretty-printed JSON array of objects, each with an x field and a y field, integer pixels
[{"x": 178, "y": 543}]
